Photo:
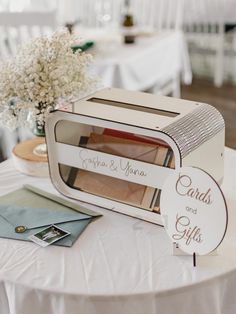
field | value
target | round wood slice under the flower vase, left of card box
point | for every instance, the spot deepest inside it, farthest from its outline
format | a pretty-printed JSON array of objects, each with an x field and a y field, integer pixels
[{"x": 26, "y": 161}]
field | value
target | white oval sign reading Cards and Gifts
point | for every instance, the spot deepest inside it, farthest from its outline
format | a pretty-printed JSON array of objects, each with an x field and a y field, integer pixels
[{"x": 193, "y": 210}]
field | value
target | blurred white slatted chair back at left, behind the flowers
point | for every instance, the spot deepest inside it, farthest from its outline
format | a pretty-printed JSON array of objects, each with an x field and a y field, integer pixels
[{"x": 18, "y": 27}]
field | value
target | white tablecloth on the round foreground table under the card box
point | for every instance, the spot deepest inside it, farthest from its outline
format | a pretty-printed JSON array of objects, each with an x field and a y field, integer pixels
[{"x": 118, "y": 265}]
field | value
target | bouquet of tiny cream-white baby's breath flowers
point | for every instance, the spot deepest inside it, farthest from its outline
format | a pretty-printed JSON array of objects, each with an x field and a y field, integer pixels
[{"x": 44, "y": 71}]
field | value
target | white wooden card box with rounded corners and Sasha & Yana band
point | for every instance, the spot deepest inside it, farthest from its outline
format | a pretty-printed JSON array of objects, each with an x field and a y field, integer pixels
[{"x": 117, "y": 147}]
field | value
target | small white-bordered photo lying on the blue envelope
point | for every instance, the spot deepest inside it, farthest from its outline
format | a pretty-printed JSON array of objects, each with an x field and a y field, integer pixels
[{"x": 48, "y": 235}]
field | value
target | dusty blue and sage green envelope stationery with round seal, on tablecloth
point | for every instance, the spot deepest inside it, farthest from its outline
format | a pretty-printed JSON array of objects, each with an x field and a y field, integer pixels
[{"x": 35, "y": 209}]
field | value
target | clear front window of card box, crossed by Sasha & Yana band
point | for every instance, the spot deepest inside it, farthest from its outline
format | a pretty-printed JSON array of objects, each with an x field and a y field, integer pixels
[{"x": 116, "y": 163}]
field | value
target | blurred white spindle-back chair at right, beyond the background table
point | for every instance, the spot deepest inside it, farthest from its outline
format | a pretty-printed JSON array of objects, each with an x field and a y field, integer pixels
[{"x": 204, "y": 27}]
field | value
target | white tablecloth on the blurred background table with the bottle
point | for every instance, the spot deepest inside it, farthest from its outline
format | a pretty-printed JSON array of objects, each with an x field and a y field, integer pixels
[{"x": 151, "y": 60}]
